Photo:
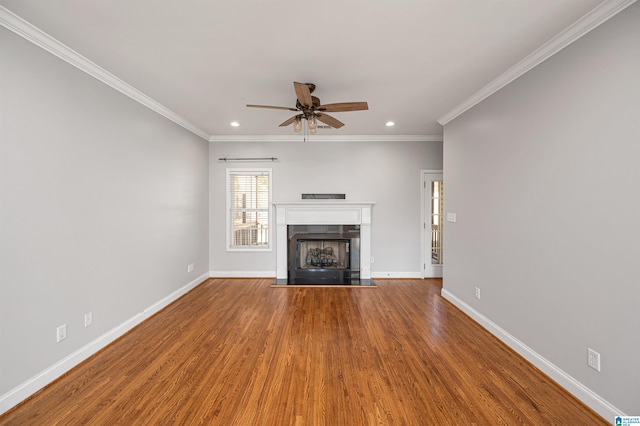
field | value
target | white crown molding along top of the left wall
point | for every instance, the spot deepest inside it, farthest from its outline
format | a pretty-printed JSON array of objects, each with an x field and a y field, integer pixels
[{"x": 41, "y": 39}]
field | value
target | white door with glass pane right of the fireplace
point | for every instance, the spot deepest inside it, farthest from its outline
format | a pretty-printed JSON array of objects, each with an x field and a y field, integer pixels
[{"x": 433, "y": 221}]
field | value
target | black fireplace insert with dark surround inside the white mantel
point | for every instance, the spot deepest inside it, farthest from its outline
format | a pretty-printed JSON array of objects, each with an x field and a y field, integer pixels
[{"x": 323, "y": 254}]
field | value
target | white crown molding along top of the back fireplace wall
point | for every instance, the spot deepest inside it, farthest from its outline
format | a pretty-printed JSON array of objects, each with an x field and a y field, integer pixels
[{"x": 325, "y": 138}]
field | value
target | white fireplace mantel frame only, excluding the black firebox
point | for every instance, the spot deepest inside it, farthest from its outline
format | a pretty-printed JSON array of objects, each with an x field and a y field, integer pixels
[{"x": 323, "y": 212}]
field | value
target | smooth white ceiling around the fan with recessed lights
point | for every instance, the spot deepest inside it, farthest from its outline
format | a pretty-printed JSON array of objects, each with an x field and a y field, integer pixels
[{"x": 413, "y": 61}]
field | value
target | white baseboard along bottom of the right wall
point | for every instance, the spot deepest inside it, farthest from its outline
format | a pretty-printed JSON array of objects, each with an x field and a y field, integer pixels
[{"x": 580, "y": 391}]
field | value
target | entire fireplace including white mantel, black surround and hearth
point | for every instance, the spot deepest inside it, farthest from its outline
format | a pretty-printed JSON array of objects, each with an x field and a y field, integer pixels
[{"x": 323, "y": 242}]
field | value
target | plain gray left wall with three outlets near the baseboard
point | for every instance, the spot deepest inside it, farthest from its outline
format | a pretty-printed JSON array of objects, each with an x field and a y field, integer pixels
[{"x": 103, "y": 206}]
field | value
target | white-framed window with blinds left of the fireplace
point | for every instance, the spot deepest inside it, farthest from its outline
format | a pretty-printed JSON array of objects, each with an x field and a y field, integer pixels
[{"x": 248, "y": 209}]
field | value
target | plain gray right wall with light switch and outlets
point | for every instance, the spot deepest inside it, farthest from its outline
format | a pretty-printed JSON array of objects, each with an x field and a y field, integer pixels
[{"x": 544, "y": 179}]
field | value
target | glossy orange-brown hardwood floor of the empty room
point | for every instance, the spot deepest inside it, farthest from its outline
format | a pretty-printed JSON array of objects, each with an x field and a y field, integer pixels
[{"x": 238, "y": 352}]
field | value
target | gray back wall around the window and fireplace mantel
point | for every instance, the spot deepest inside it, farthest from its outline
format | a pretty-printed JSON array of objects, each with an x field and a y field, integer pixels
[{"x": 387, "y": 173}]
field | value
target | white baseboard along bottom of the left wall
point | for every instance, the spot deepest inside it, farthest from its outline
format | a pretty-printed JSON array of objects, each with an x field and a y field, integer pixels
[{"x": 39, "y": 381}]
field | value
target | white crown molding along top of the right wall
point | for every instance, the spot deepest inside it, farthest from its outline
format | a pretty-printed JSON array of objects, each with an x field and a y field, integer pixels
[{"x": 582, "y": 26}]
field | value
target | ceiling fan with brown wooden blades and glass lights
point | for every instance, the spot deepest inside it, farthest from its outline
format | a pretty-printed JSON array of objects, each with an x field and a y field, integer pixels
[{"x": 310, "y": 109}]
